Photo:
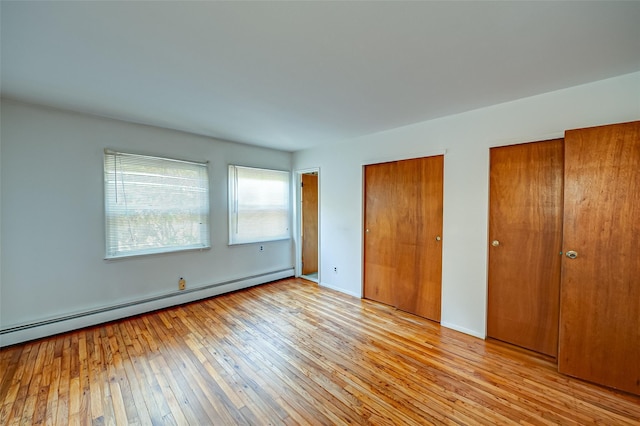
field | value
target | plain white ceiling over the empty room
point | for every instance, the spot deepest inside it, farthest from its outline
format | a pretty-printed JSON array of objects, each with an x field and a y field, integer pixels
[{"x": 291, "y": 75}]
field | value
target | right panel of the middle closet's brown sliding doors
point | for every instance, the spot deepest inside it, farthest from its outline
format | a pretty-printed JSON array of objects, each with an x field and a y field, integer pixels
[{"x": 418, "y": 230}]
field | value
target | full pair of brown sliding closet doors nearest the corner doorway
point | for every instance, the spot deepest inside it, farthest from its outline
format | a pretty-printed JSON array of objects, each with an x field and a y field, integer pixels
[{"x": 403, "y": 228}]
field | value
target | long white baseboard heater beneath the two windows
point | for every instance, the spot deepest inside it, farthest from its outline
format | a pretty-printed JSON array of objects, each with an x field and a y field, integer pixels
[{"x": 36, "y": 330}]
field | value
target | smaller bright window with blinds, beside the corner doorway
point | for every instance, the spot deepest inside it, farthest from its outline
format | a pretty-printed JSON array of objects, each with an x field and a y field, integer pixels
[{"x": 258, "y": 205}]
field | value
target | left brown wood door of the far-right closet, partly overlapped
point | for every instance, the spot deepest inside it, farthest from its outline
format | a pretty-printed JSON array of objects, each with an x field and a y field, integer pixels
[{"x": 525, "y": 241}]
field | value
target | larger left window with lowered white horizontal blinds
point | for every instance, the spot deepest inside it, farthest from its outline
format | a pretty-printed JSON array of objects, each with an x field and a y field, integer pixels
[{"x": 154, "y": 205}]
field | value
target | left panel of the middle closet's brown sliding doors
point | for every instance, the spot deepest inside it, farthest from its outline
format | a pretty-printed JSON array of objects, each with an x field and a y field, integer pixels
[{"x": 380, "y": 232}]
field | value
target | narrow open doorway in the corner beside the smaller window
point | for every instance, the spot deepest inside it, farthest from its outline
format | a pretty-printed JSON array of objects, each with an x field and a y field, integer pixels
[{"x": 309, "y": 225}]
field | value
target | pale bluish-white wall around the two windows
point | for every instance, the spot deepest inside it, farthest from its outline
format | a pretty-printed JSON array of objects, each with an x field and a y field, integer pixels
[{"x": 52, "y": 229}]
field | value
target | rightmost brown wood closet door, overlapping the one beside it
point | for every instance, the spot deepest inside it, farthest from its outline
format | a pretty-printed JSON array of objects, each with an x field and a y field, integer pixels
[{"x": 600, "y": 293}]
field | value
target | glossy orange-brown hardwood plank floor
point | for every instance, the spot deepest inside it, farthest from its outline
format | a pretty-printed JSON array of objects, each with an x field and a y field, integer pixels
[{"x": 290, "y": 352}]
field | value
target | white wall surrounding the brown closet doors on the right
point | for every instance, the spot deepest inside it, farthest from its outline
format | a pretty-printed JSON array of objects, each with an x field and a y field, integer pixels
[{"x": 466, "y": 139}]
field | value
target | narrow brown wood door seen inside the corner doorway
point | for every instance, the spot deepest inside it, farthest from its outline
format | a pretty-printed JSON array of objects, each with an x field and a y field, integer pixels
[{"x": 309, "y": 223}]
